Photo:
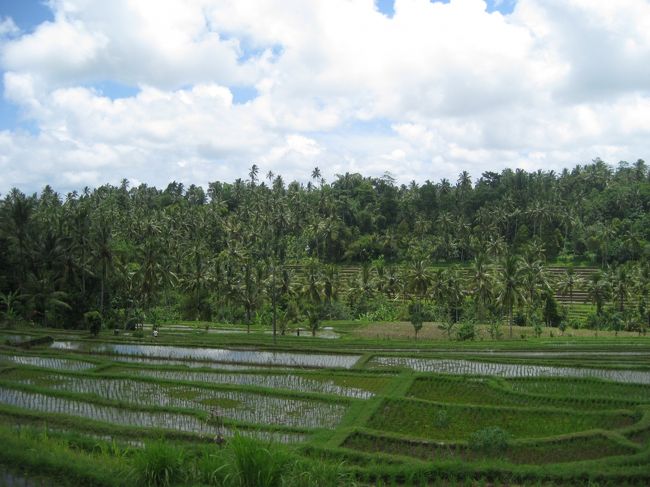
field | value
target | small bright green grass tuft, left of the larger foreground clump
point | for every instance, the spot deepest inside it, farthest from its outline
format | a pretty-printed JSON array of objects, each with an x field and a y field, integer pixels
[{"x": 159, "y": 464}]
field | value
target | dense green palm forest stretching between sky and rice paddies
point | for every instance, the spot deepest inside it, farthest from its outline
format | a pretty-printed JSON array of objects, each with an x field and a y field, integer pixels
[{"x": 509, "y": 247}]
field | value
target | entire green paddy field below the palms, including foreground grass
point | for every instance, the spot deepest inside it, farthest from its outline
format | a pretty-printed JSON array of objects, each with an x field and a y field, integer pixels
[{"x": 118, "y": 410}]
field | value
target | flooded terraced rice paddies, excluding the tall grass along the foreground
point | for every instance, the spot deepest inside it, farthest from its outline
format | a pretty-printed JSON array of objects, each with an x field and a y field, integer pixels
[{"x": 406, "y": 418}]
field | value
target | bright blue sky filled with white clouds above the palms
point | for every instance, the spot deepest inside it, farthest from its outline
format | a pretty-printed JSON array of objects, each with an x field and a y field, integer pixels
[{"x": 199, "y": 90}]
